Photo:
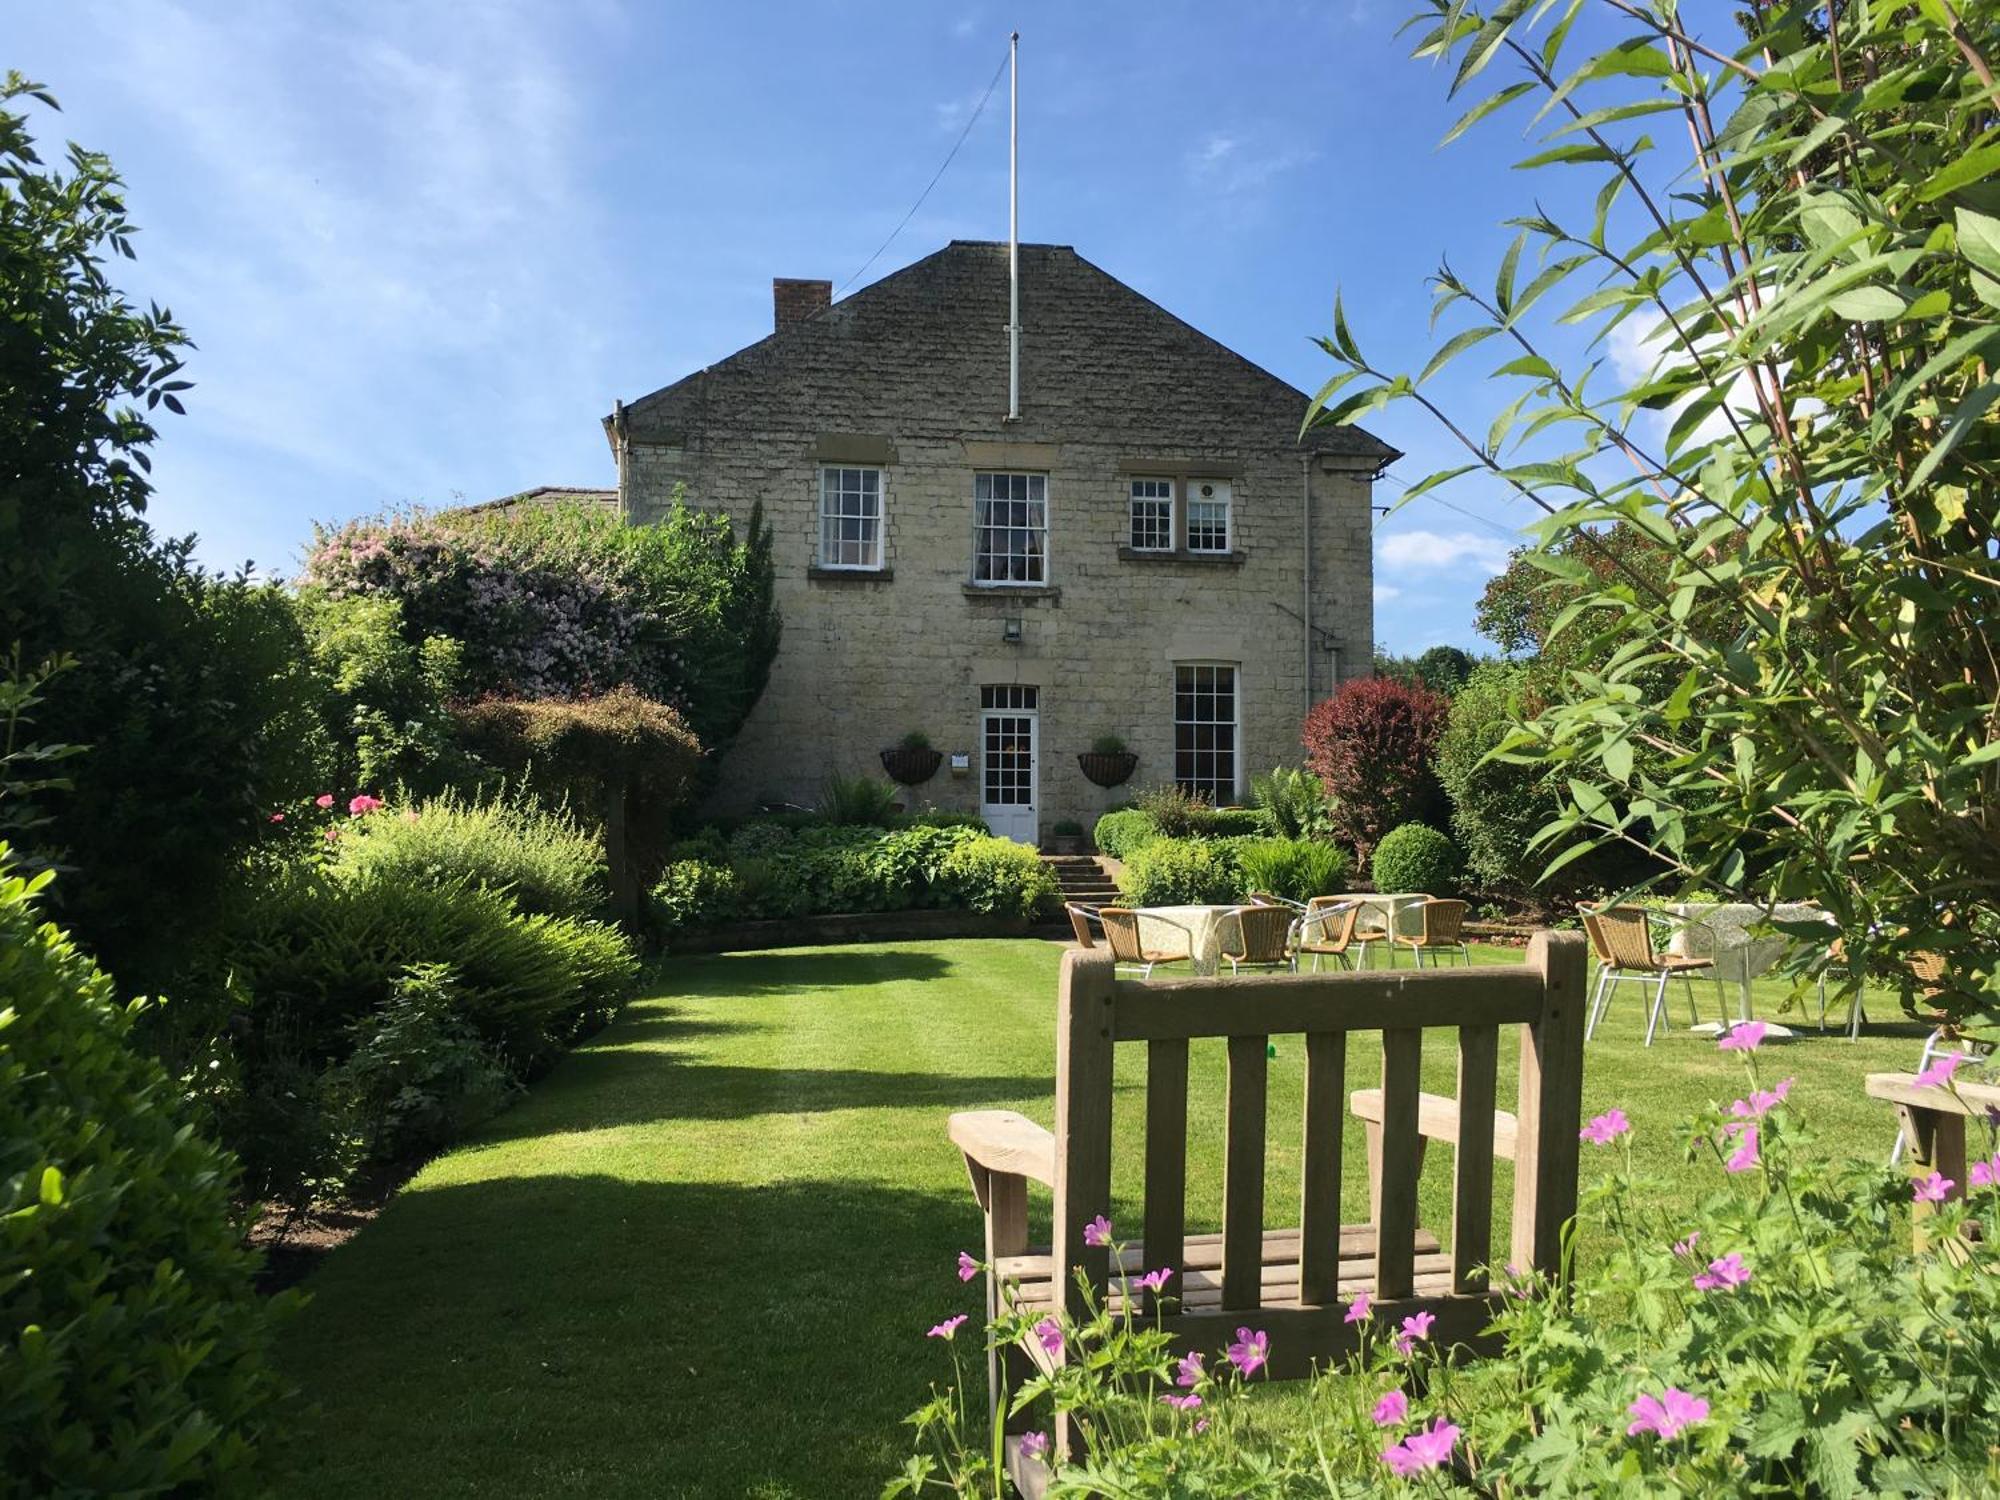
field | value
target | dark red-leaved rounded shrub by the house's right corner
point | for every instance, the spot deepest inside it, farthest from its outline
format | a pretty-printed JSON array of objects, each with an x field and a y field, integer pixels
[{"x": 1375, "y": 745}]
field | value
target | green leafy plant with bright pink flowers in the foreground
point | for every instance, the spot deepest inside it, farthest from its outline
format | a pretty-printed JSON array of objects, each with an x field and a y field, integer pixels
[{"x": 1785, "y": 1339}]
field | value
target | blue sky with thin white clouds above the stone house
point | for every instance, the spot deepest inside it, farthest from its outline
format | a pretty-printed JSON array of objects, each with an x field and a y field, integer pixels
[{"x": 425, "y": 247}]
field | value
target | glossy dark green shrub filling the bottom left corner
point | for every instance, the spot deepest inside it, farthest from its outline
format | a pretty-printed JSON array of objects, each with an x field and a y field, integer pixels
[{"x": 133, "y": 1345}]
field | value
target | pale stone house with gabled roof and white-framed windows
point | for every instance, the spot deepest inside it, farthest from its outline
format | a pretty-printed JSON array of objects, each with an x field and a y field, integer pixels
[{"x": 1151, "y": 551}]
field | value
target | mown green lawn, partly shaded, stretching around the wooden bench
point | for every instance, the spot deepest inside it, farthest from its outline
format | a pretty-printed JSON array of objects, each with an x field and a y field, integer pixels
[{"x": 701, "y": 1257}]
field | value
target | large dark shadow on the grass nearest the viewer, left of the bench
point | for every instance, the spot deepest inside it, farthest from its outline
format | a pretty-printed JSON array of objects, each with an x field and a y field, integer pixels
[{"x": 593, "y": 1337}]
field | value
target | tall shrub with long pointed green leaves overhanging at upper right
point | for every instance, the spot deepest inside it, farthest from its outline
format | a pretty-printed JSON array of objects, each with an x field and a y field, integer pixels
[{"x": 1813, "y": 453}]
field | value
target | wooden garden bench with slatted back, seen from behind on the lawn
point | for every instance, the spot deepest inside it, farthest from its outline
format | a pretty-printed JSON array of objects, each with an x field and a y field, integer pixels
[{"x": 1293, "y": 1283}]
